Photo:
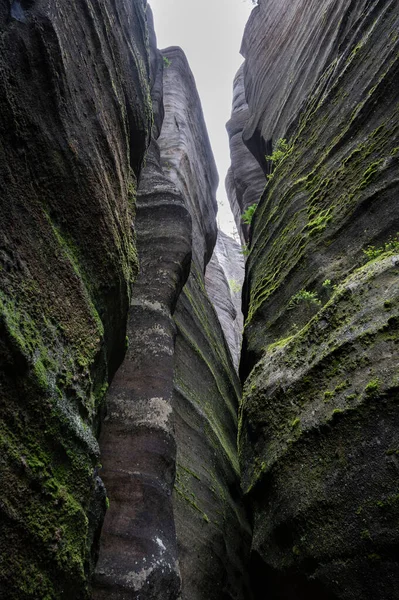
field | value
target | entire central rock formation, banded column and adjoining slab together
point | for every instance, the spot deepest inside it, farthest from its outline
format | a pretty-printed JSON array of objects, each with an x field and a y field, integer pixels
[{"x": 149, "y": 431}]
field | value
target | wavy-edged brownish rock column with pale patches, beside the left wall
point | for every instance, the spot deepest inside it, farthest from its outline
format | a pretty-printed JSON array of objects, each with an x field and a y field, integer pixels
[{"x": 138, "y": 554}]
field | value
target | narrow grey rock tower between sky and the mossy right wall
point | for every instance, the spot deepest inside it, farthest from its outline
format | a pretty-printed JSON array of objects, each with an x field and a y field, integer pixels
[{"x": 245, "y": 179}]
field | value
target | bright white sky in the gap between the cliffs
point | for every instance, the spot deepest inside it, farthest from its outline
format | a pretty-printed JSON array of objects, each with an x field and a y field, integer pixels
[{"x": 210, "y": 33}]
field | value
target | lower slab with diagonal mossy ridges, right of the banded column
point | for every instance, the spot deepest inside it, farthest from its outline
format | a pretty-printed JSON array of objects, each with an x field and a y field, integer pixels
[{"x": 212, "y": 529}]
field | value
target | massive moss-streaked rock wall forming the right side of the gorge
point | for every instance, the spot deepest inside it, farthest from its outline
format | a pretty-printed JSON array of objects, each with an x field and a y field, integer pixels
[{"x": 319, "y": 422}]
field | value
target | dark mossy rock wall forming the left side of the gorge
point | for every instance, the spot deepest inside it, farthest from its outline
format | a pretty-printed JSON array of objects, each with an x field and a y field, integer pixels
[{"x": 75, "y": 118}]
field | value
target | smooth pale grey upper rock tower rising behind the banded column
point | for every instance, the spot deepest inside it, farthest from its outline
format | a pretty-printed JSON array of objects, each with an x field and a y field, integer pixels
[{"x": 186, "y": 153}]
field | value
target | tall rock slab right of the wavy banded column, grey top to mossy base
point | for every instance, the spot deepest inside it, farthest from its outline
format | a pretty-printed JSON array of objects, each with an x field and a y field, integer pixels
[{"x": 212, "y": 532}]
